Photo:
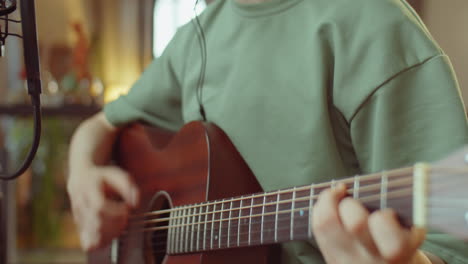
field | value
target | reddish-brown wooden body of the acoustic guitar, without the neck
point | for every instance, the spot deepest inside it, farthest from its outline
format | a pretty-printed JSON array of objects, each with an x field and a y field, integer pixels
[{"x": 197, "y": 164}]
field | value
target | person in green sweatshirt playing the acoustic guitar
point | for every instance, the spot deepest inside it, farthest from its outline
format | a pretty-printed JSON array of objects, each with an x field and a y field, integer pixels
[{"x": 308, "y": 91}]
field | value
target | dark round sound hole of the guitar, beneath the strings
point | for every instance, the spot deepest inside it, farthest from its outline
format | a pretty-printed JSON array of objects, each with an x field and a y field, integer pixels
[{"x": 157, "y": 239}]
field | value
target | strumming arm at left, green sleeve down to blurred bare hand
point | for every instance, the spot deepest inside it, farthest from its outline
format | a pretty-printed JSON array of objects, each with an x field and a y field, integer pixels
[{"x": 155, "y": 98}]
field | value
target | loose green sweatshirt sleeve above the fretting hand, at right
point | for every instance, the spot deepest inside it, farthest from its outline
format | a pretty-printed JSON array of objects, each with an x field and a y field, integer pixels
[{"x": 418, "y": 115}]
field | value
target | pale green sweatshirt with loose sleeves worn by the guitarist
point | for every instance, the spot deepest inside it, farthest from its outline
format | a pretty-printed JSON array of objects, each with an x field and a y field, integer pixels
[{"x": 309, "y": 91}]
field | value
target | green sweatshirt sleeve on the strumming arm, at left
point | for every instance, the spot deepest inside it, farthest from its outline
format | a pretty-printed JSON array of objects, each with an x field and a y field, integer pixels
[{"x": 155, "y": 98}]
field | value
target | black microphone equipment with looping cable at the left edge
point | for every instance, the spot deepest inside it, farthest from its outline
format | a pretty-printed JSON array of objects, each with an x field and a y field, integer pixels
[{"x": 31, "y": 60}]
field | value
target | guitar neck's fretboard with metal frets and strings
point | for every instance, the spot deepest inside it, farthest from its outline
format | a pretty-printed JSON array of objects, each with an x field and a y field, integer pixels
[{"x": 278, "y": 216}]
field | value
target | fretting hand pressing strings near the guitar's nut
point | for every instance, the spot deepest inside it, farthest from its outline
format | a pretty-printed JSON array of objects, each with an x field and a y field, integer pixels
[{"x": 347, "y": 233}]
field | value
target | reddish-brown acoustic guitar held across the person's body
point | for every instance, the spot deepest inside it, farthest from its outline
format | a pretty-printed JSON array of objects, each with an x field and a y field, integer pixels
[{"x": 200, "y": 202}]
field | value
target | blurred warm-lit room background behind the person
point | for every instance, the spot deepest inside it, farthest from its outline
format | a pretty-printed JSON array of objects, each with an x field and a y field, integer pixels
[{"x": 92, "y": 51}]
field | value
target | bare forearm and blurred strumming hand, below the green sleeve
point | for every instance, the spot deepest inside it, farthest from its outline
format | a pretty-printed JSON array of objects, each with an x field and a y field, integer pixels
[{"x": 98, "y": 217}]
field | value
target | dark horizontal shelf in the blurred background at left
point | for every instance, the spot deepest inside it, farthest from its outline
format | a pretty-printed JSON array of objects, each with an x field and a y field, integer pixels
[{"x": 73, "y": 110}]
